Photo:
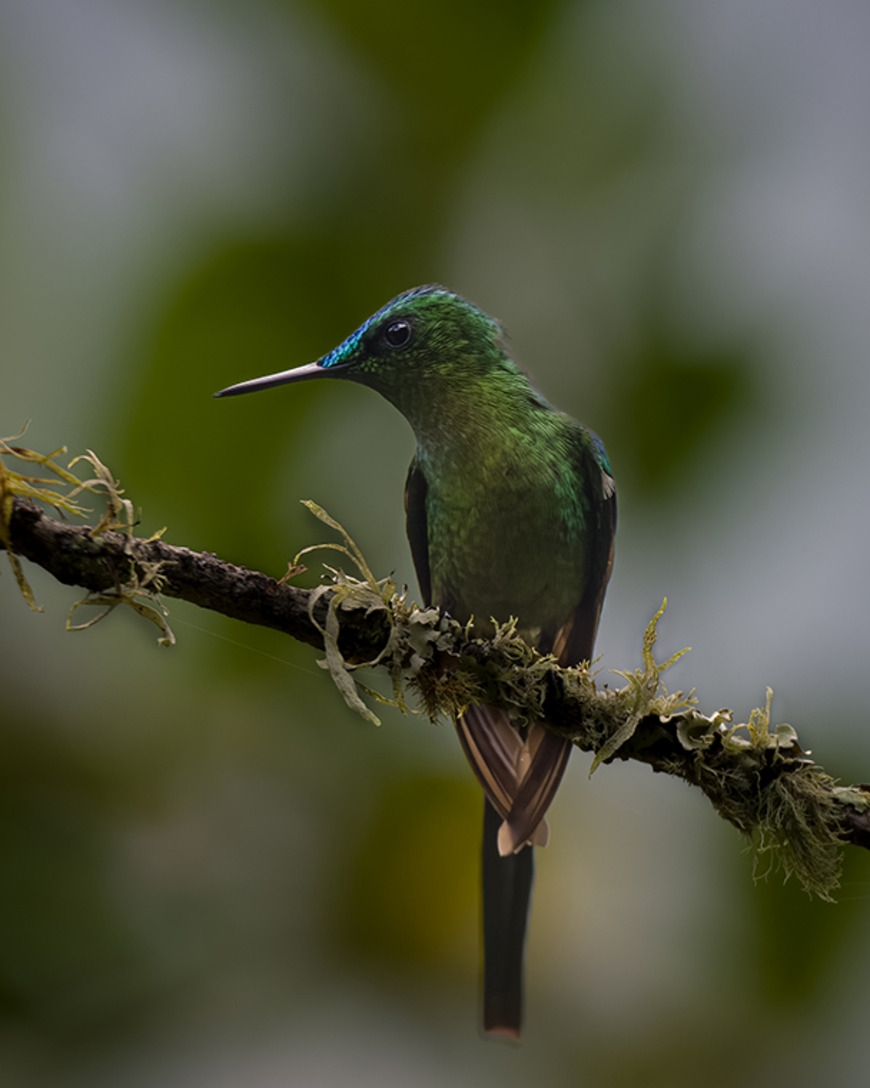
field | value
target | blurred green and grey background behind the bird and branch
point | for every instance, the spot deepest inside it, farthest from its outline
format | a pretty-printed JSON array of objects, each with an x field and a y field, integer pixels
[{"x": 212, "y": 873}]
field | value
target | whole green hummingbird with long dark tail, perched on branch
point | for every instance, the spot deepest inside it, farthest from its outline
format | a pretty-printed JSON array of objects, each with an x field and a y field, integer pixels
[{"x": 511, "y": 513}]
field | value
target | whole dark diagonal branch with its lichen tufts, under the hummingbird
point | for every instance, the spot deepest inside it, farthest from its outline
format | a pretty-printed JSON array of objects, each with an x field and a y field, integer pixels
[{"x": 756, "y": 775}]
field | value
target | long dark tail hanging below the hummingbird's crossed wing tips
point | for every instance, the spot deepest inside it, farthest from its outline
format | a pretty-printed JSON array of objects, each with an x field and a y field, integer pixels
[{"x": 507, "y": 888}]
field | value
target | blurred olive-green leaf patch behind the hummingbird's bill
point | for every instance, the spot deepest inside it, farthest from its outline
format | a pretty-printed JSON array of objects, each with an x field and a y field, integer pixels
[{"x": 250, "y": 308}]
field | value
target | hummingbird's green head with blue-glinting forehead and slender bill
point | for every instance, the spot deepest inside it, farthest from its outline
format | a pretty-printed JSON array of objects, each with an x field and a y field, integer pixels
[{"x": 425, "y": 340}]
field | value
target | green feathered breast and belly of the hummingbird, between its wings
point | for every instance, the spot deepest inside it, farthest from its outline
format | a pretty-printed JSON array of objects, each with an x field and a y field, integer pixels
[{"x": 507, "y": 528}]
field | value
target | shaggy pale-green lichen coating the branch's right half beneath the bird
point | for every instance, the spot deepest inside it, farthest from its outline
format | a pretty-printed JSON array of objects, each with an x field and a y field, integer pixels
[{"x": 755, "y": 774}]
